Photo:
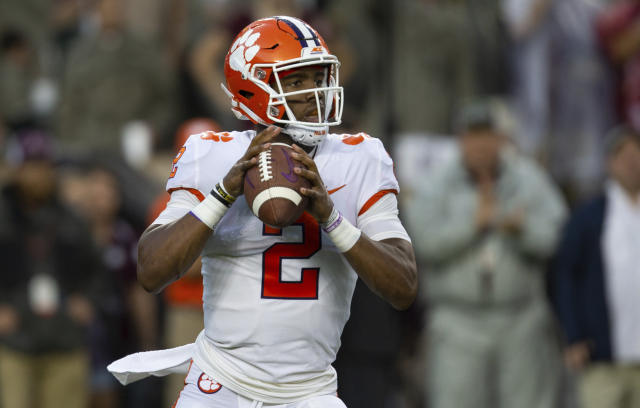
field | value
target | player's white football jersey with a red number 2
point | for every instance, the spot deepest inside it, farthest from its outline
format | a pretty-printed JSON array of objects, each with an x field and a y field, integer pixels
[{"x": 276, "y": 301}]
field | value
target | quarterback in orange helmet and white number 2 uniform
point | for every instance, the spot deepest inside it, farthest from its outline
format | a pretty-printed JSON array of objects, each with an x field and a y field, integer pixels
[{"x": 275, "y": 300}]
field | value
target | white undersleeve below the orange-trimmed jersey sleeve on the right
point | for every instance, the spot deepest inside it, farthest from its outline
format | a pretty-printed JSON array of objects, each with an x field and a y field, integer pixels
[{"x": 381, "y": 220}]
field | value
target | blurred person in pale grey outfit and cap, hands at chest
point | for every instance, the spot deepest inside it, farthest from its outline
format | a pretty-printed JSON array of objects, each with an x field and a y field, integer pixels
[{"x": 485, "y": 225}]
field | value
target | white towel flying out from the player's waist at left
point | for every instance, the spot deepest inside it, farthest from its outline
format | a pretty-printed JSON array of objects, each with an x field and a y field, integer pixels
[{"x": 159, "y": 363}]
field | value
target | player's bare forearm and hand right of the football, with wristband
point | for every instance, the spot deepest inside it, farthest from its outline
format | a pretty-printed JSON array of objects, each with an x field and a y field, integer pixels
[{"x": 387, "y": 266}]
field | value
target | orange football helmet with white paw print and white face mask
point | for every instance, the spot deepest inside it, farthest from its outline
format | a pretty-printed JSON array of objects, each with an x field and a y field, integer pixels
[{"x": 253, "y": 68}]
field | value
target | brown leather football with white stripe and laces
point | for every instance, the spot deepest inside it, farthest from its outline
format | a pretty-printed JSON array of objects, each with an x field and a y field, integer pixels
[{"x": 272, "y": 189}]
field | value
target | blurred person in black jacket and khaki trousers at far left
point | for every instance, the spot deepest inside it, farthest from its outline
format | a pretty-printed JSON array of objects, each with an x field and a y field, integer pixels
[{"x": 49, "y": 289}]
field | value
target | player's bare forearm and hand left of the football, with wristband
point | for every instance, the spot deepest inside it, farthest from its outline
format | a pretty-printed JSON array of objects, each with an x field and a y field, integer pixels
[{"x": 166, "y": 252}]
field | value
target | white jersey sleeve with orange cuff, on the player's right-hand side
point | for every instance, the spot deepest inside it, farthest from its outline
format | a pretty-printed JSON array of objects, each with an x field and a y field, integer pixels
[{"x": 378, "y": 178}]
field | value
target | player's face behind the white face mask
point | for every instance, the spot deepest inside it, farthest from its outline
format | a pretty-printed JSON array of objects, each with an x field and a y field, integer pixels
[{"x": 304, "y": 105}]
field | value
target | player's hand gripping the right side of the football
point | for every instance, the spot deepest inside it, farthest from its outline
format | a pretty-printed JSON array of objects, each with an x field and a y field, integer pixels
[{"x": 320, "y": 204}]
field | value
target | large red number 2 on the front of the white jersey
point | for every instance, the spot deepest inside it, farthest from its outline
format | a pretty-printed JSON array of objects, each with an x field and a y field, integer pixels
[{"x": 273, "y": 287}]
